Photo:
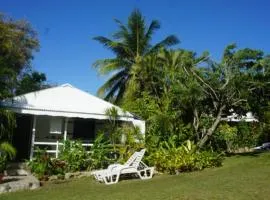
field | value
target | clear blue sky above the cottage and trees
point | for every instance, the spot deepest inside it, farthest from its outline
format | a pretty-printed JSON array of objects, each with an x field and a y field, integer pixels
[{"x": 66, "y": 28}]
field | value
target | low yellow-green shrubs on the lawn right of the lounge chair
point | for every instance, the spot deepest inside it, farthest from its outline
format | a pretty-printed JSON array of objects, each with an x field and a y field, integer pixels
[{"x": 170, "y": 158}]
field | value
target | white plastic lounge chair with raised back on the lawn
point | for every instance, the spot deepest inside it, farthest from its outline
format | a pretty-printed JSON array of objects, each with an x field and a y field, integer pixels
[{"x": 134, "y": 165}]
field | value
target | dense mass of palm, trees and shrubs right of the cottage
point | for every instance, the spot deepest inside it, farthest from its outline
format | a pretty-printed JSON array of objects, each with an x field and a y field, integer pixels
[{"x": 185, "y": 97}]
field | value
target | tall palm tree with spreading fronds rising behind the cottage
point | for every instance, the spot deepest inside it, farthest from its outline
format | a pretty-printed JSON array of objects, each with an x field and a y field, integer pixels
[{"x": 129, "y": 44}]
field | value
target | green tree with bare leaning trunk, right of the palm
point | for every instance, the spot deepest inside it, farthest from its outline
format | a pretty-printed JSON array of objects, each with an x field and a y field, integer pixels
[{"x": 227, "y": 85}]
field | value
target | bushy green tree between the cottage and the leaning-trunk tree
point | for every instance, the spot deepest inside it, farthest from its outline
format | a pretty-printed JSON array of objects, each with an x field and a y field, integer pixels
[{"x": 162, "y": 93}]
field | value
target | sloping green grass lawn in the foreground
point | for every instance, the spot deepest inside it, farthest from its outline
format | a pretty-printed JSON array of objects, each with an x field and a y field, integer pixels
[{"x": 241, "y": 177}]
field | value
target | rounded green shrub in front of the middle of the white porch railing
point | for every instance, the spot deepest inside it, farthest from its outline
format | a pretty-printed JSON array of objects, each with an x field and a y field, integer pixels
[{"x": 75, "y": 156}]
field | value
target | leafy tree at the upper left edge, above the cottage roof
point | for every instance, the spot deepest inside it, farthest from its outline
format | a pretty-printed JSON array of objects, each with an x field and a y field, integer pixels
[{"x": 18, "y": 42}]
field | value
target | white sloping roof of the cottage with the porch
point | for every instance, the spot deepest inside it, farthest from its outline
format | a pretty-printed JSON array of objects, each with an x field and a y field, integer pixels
[{"x": 64, "y": 100}]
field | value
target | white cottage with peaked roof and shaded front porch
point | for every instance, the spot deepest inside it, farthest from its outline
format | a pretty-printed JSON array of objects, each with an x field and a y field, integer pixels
[{"x": 49, "y": 116}]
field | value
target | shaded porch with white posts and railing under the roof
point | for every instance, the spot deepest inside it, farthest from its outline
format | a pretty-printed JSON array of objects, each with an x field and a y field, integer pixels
[{"x": 48, "y": 133}]
